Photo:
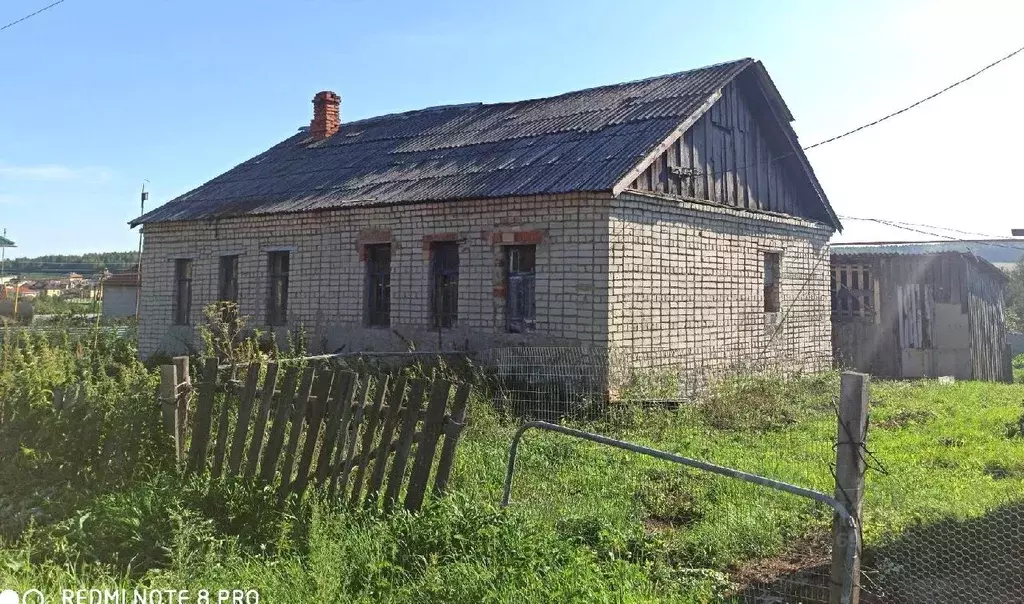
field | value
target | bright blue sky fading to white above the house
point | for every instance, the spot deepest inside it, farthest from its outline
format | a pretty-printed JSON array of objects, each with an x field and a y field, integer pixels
[{"x": 98, "y": 96}]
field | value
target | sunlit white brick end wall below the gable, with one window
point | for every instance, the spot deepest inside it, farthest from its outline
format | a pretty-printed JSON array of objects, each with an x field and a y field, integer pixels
[{"x": 688, "y": 289}]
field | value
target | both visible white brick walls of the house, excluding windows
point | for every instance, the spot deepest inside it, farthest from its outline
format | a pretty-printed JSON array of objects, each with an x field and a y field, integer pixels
[{"x": 684, "y": 281}]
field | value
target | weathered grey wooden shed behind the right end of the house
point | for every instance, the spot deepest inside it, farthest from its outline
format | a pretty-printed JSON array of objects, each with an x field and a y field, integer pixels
[{"x": 916, "y": 311}]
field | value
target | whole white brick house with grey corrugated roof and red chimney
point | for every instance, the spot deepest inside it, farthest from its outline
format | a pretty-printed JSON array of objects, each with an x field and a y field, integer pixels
[{"x": 675, "y": 218}]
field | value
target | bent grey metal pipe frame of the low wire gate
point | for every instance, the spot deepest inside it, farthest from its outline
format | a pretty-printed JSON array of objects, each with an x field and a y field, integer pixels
[{"x": 851, "y": 549}]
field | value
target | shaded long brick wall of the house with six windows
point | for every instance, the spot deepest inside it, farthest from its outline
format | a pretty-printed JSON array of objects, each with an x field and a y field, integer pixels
[{"x": 326, "y": 291}]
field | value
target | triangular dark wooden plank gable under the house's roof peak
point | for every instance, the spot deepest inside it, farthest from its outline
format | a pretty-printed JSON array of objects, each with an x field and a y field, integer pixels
[{"x": 728, "y": 157}]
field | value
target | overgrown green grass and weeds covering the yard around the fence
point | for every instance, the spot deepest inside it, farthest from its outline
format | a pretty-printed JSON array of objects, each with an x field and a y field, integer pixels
[{"x": 587, "y": 524}]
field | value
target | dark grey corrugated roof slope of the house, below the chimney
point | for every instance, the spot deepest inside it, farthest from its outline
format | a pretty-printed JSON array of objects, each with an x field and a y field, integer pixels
[{"x": 584, "y": 141}]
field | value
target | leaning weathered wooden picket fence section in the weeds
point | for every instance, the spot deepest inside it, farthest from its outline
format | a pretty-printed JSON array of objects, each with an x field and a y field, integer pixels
[{"x": 358, "y": 438}]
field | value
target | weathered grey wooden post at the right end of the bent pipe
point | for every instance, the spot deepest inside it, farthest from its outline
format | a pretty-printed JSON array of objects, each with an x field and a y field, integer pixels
[{"x": 852, "y": 432}]
